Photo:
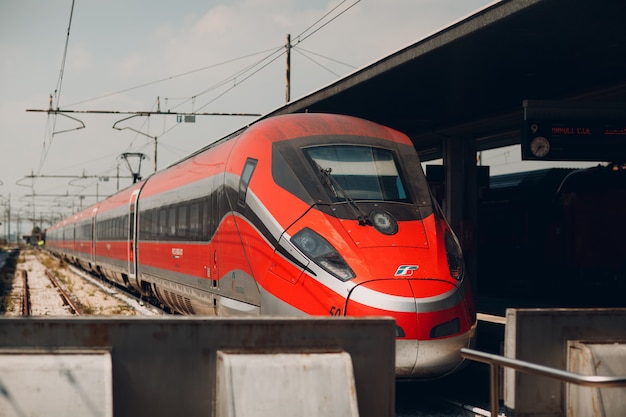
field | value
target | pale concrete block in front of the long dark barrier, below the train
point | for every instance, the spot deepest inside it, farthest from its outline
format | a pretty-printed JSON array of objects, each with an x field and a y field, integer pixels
[{"x": 285, "y": 385}]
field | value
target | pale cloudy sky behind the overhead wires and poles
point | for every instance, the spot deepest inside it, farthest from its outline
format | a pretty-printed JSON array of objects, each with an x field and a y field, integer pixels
[{"x": 188, "y": 56}]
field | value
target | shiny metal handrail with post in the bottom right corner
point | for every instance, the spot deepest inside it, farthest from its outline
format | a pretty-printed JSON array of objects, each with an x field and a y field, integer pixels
[{"x": 495, "y": 361}]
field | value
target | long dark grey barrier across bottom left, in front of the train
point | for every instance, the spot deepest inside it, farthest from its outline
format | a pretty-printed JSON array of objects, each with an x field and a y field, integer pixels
[{"x": 169, "y": 366}]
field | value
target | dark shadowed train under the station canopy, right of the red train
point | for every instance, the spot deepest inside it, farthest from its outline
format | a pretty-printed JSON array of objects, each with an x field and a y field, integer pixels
[{"x": 555, "y": 236}]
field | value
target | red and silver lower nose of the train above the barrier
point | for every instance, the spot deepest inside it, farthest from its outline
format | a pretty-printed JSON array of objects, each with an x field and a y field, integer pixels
[{"x": 432, "y": 322}]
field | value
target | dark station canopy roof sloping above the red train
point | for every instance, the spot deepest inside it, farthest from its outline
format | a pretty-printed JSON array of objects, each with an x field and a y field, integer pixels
[{"x": 470, "y": 79}]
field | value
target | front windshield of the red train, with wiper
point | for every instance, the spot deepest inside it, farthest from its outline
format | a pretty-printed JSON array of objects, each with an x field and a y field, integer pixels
[{"x": 358, "y": 172}]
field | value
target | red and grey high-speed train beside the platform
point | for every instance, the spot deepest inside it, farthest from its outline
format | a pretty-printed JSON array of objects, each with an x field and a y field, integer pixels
[{"x": 302, "y": 214}]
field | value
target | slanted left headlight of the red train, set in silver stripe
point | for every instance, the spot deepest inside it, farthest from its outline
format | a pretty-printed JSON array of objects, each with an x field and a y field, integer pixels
[{"x": 316, "y": 248}]
